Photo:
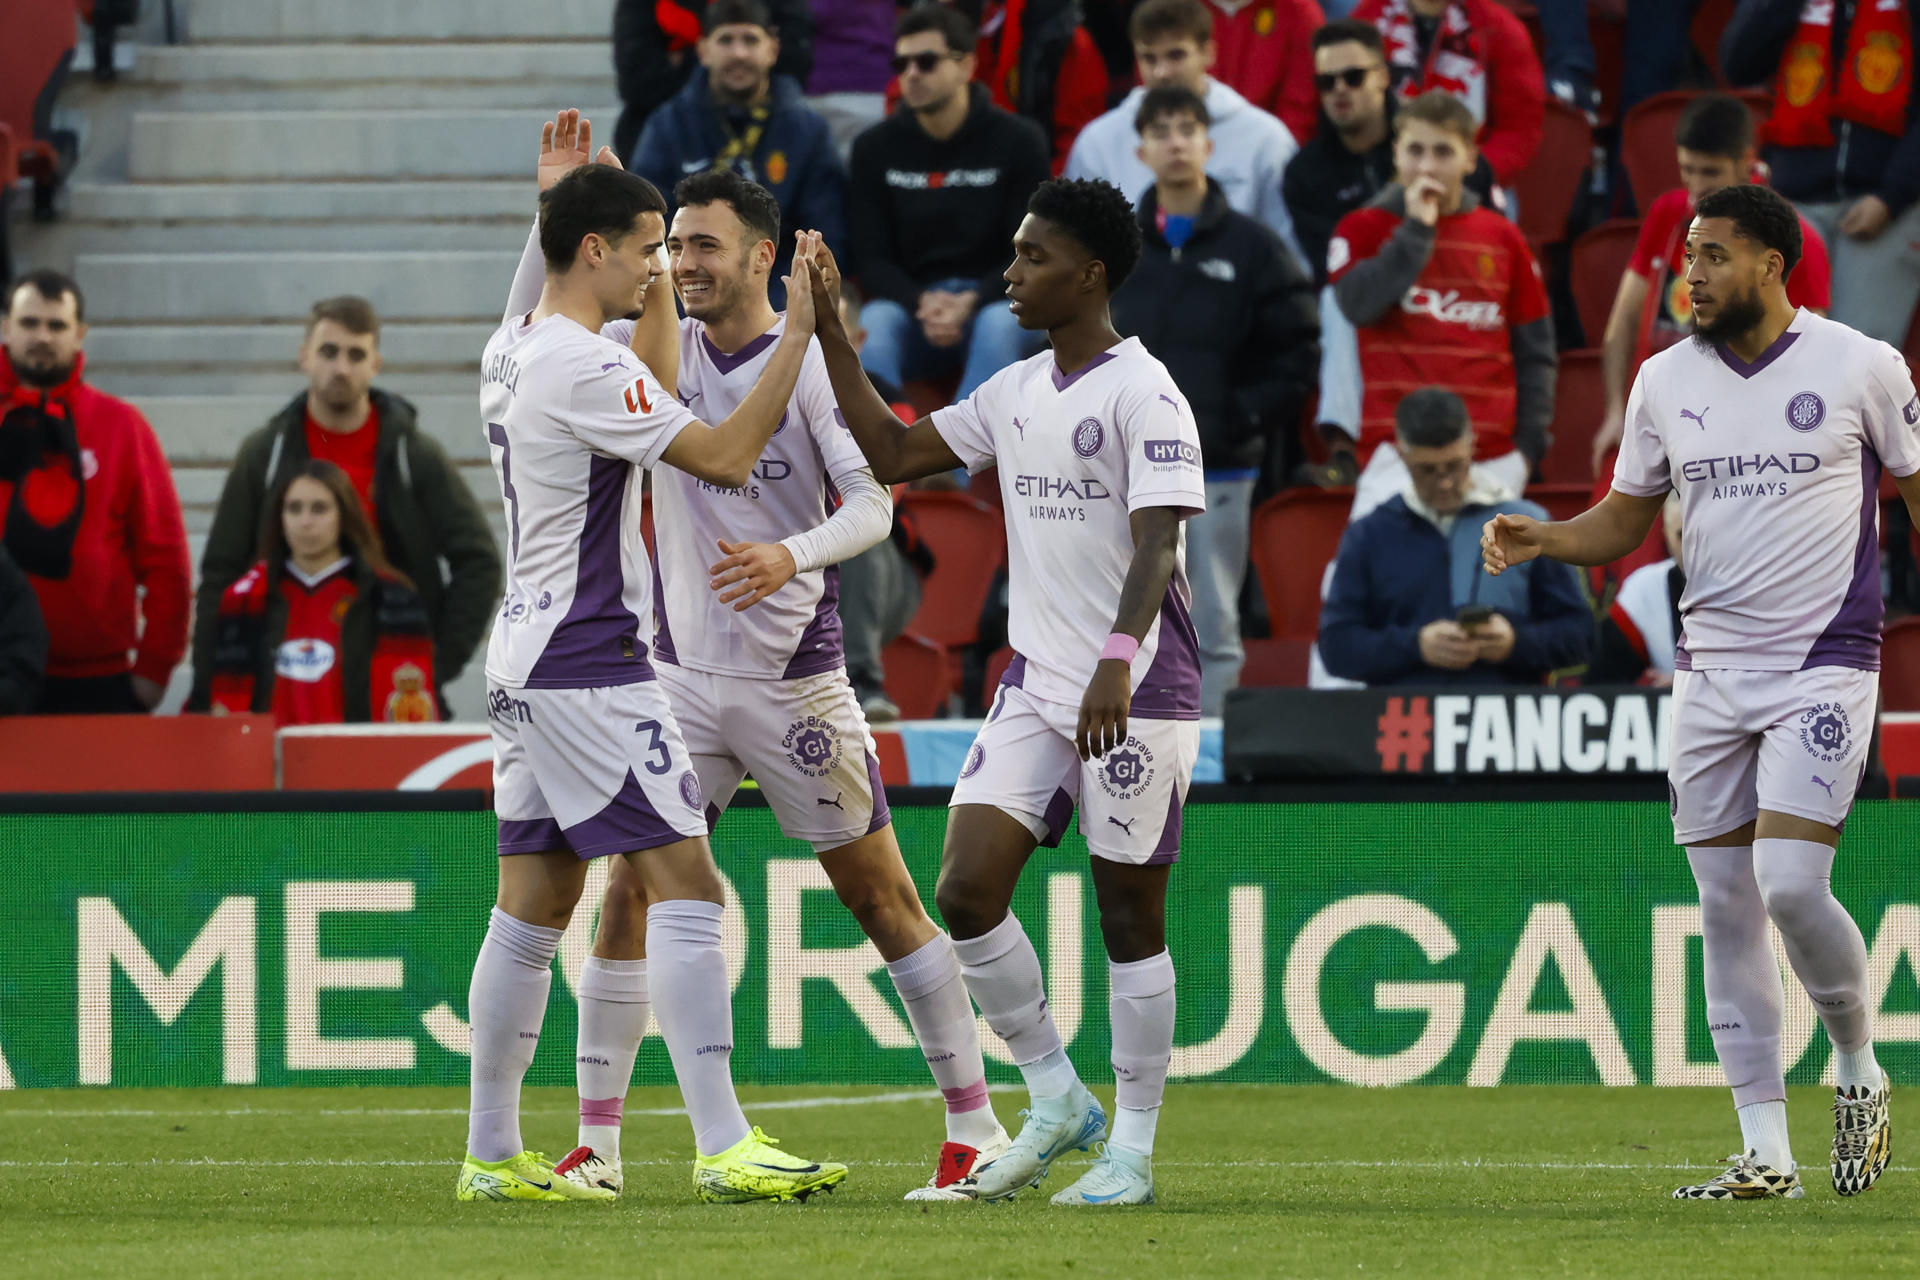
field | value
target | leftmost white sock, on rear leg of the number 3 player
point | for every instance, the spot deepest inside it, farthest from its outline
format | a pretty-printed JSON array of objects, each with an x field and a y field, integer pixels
[{"x": 506, "y": 1003}]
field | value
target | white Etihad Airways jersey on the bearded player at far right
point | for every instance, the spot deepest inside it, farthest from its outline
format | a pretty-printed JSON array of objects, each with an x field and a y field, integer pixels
[{"x": 1779, "y": 467}]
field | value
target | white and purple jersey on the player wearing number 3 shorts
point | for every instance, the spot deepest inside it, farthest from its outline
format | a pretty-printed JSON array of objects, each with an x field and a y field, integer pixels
[{"x": 571, "y": 419}]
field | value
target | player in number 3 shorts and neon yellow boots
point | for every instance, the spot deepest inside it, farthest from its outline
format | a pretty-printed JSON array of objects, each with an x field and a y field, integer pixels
[{"x": 588, "y": 761}]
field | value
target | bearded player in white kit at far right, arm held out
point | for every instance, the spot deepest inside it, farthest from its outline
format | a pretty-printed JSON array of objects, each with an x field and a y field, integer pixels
[{"x": 1773, "y": 425}]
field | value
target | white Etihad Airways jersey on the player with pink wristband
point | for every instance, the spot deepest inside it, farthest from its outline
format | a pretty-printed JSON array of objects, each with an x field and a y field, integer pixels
[{"x": 1076, "y": 458}]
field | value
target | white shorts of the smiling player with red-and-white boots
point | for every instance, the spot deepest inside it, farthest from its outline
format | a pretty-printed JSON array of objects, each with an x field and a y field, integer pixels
[{"x": 804, "y": 740}]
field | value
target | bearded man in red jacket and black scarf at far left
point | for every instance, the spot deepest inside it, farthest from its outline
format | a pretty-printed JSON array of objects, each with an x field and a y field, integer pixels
[{"x": 89, "y": 511}]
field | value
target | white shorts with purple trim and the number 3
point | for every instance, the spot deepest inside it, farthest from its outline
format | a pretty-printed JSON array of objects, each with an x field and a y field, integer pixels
[{"x": 592, "y": 770}]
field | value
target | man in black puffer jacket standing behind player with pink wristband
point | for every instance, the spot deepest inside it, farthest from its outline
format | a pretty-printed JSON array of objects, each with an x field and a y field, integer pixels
[{"x": 1232, "y": 316}]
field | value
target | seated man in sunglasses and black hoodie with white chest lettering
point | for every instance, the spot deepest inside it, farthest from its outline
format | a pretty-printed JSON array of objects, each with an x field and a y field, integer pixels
[{"x": 938, "y": 191}]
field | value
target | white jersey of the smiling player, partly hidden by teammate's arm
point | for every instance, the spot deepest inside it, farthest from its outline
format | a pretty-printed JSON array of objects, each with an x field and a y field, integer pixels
[{"x": 794, "y": 632}]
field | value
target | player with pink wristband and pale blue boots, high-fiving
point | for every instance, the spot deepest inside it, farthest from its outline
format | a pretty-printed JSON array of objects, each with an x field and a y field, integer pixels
[{"x": 1099, "y": 465}]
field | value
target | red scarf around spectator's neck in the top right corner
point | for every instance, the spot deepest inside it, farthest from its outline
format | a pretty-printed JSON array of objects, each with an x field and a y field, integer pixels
[{"x": 1877, "y": 76}]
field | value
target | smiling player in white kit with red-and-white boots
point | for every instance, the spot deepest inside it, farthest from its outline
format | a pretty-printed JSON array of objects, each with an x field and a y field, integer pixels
[{"x": 748, "y": 648}]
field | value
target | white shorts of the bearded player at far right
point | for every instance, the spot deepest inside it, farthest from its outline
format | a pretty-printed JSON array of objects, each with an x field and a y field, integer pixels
[{"x": 1787, "y": 742}]
